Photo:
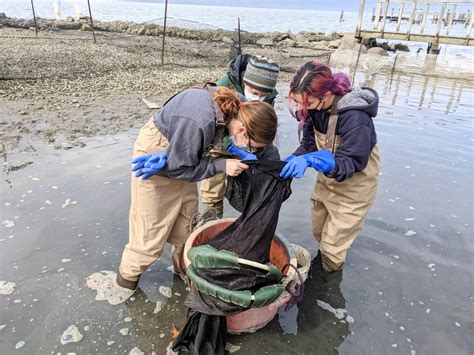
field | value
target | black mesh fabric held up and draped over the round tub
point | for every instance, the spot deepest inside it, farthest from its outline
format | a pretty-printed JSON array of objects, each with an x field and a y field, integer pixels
[{"x": 258, "y": 193}]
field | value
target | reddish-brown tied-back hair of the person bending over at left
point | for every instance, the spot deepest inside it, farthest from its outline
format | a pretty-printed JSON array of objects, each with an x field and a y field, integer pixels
[{"x": 259, "y": 118}]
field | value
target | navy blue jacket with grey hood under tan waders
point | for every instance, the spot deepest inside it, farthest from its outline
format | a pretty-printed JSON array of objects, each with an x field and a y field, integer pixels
[{"x": 355, "y": 128}]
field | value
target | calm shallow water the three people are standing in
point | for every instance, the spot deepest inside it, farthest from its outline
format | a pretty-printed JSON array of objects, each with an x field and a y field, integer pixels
[{"x": 407, "y": 286}]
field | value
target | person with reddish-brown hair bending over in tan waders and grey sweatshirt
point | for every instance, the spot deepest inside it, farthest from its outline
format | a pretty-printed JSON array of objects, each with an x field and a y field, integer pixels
[{"x": 171, "y": 154}]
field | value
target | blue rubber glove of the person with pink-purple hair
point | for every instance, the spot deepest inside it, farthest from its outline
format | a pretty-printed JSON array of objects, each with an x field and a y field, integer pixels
[{"x": 321, "y": 160}]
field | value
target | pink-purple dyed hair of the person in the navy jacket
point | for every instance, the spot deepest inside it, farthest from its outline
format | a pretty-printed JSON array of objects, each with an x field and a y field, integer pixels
[{"x": 315, "y": 78}]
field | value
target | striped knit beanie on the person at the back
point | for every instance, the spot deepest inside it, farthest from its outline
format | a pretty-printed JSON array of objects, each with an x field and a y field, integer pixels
[{"x": 261, "y": 74}]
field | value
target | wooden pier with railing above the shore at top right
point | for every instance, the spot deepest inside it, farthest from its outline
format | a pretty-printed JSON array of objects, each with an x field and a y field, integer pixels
[{"x": 416, "y": 12}]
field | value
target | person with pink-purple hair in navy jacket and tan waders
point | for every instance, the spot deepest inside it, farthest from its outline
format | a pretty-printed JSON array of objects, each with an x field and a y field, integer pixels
[{"x": 339, "y": 142}]
